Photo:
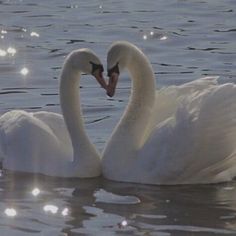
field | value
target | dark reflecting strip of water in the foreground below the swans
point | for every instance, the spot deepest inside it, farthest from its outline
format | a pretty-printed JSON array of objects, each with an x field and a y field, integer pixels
[{"x": 94, "y": 206}]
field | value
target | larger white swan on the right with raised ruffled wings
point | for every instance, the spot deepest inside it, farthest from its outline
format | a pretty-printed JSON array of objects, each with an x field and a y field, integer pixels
[{"x": 176, "y": 135}]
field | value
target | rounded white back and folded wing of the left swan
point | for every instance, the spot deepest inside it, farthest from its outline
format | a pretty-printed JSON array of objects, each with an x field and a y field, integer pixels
[{"x": 24, "y": 134}]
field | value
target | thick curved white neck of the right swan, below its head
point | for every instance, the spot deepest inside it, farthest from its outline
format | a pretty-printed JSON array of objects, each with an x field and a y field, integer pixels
[{"x": 135, "y": 119}]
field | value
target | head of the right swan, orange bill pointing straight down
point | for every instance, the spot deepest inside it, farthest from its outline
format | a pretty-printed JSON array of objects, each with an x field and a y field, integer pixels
[{"x": 119, "y": 56}]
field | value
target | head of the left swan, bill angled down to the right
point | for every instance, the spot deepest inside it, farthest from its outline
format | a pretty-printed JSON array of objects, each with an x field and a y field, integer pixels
[{"x": 85, "y": 60}]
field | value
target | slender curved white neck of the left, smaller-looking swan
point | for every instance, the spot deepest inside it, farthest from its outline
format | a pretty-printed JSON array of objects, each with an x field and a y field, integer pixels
[{"x": 70, "y": 105}]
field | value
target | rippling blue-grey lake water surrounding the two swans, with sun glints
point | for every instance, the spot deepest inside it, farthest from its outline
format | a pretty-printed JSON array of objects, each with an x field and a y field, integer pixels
[{"x": 184, "y": 41}]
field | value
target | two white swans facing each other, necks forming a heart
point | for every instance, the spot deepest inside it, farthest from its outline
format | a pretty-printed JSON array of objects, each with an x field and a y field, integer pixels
[{"x": 176, "y": 135}]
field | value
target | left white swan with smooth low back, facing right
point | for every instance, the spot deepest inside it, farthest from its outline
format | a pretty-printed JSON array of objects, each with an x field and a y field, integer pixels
[{"x": 49, "y": 143}]
